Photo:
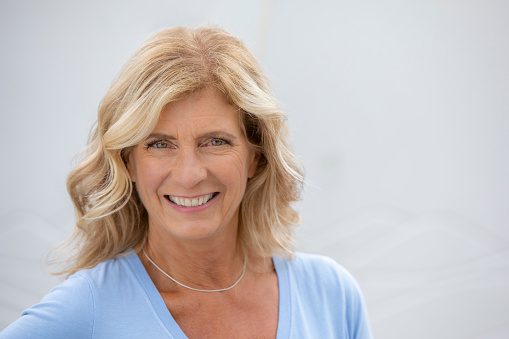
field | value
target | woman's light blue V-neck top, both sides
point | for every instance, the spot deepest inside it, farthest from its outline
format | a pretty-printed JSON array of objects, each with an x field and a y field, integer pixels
[{"x": 117, "y": 299}]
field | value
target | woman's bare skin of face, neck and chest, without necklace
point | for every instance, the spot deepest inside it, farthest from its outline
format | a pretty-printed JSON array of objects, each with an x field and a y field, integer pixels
[{"x": 198, "y": 148}]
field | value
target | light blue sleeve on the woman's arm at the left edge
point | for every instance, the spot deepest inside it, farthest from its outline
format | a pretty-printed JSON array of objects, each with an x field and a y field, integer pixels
[{"x": 66, "y": 312}]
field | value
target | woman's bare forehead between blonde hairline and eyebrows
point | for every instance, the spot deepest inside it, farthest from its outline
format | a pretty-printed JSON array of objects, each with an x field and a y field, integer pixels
[{"x": 205, "y": 108}]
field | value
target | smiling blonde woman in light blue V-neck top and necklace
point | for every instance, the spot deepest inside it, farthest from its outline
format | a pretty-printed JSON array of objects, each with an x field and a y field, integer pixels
[{"x": 184, "y": 216}]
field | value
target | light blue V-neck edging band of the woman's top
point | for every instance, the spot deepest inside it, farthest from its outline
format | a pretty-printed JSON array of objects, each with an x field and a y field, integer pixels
[{"x": 174, "y": 330}]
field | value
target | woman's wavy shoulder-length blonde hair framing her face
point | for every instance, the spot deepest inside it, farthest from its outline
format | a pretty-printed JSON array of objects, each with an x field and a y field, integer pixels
[{"x": 170, "y": 65}]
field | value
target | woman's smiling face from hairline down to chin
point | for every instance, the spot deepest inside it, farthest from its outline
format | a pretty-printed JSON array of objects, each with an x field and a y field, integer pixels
[{"x": 191, "y": 172}]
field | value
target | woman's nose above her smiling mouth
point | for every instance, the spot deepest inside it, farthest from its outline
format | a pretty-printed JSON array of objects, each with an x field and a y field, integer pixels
[{"x": 189, "y": 169}]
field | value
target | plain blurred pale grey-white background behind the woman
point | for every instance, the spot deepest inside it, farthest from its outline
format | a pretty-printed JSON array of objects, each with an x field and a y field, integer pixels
[{"x": 399, "y": 112}]
